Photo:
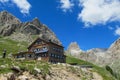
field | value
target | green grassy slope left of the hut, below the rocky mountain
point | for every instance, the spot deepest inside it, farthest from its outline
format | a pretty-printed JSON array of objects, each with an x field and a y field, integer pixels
[{"x": 12, "y": 46}]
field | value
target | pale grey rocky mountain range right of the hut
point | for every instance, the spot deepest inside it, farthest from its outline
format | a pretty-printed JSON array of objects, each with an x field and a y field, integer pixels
[{"x": 100, "y": 56}]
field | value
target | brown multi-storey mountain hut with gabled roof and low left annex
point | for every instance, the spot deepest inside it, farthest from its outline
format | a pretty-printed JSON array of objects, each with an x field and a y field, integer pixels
[{"x": 44, "y": 50}]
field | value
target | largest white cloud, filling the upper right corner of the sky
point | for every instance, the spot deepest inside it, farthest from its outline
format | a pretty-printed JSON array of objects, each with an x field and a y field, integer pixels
[{"x": 99, "y": 11}]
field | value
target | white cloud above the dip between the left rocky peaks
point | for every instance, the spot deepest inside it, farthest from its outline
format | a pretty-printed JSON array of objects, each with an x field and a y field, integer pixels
[{"x": 24, "y": 5}]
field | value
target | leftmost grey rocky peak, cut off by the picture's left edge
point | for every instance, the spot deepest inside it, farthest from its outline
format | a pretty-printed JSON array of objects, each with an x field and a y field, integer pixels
[{"x": 7, "y": 23}]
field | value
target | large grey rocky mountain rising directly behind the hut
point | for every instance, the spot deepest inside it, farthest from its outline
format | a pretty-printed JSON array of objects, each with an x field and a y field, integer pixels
[{"x": 12, "y": 27}]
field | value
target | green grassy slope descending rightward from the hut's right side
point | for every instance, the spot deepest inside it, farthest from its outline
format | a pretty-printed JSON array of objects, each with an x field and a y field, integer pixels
[{"x": 105, "y": 74}]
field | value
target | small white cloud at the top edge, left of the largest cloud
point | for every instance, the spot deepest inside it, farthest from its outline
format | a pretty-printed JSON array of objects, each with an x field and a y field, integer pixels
[{"x": 66, "y": 5}]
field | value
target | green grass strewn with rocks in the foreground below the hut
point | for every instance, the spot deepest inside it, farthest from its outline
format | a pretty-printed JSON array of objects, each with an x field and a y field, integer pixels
[{"x": 28, "y": 65}]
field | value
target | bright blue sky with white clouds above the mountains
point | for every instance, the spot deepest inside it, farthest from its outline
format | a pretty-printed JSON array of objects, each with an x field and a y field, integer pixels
[{"x": 91, "y": 23}]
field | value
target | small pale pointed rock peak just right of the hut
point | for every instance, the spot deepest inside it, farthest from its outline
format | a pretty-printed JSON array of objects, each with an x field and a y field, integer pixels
[{"x": 74, "y": 49}]
